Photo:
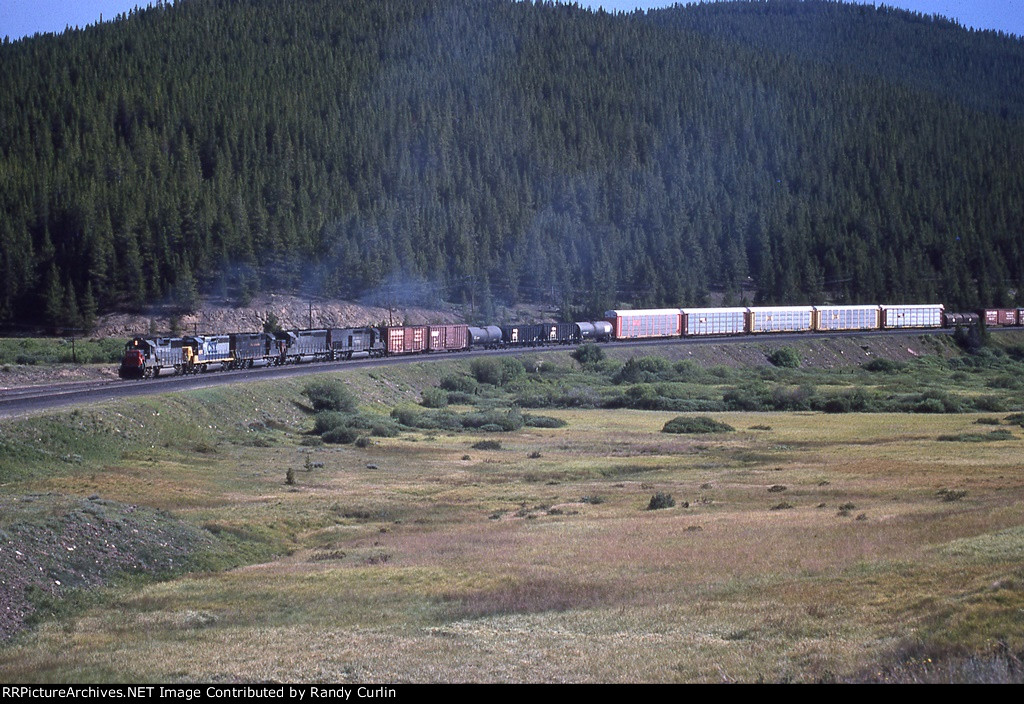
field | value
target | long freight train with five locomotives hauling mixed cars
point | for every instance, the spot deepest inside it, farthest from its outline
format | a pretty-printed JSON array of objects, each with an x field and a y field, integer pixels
[{"x": 152, "y": 357}]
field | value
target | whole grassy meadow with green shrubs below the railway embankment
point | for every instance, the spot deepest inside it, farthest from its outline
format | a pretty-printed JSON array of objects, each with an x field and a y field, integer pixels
[{"x": 434, "y": 546}]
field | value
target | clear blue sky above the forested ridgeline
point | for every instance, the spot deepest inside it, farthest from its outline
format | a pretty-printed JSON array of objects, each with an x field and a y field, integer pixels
[{"x": 24, "y": 18}]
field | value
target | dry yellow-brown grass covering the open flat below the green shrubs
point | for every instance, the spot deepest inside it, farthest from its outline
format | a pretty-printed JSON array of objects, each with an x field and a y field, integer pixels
[{"x": 429, "y": 567}]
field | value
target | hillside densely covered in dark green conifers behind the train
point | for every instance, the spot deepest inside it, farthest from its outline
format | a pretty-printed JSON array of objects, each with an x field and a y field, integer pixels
[{"x": 486, "y": 151}]
